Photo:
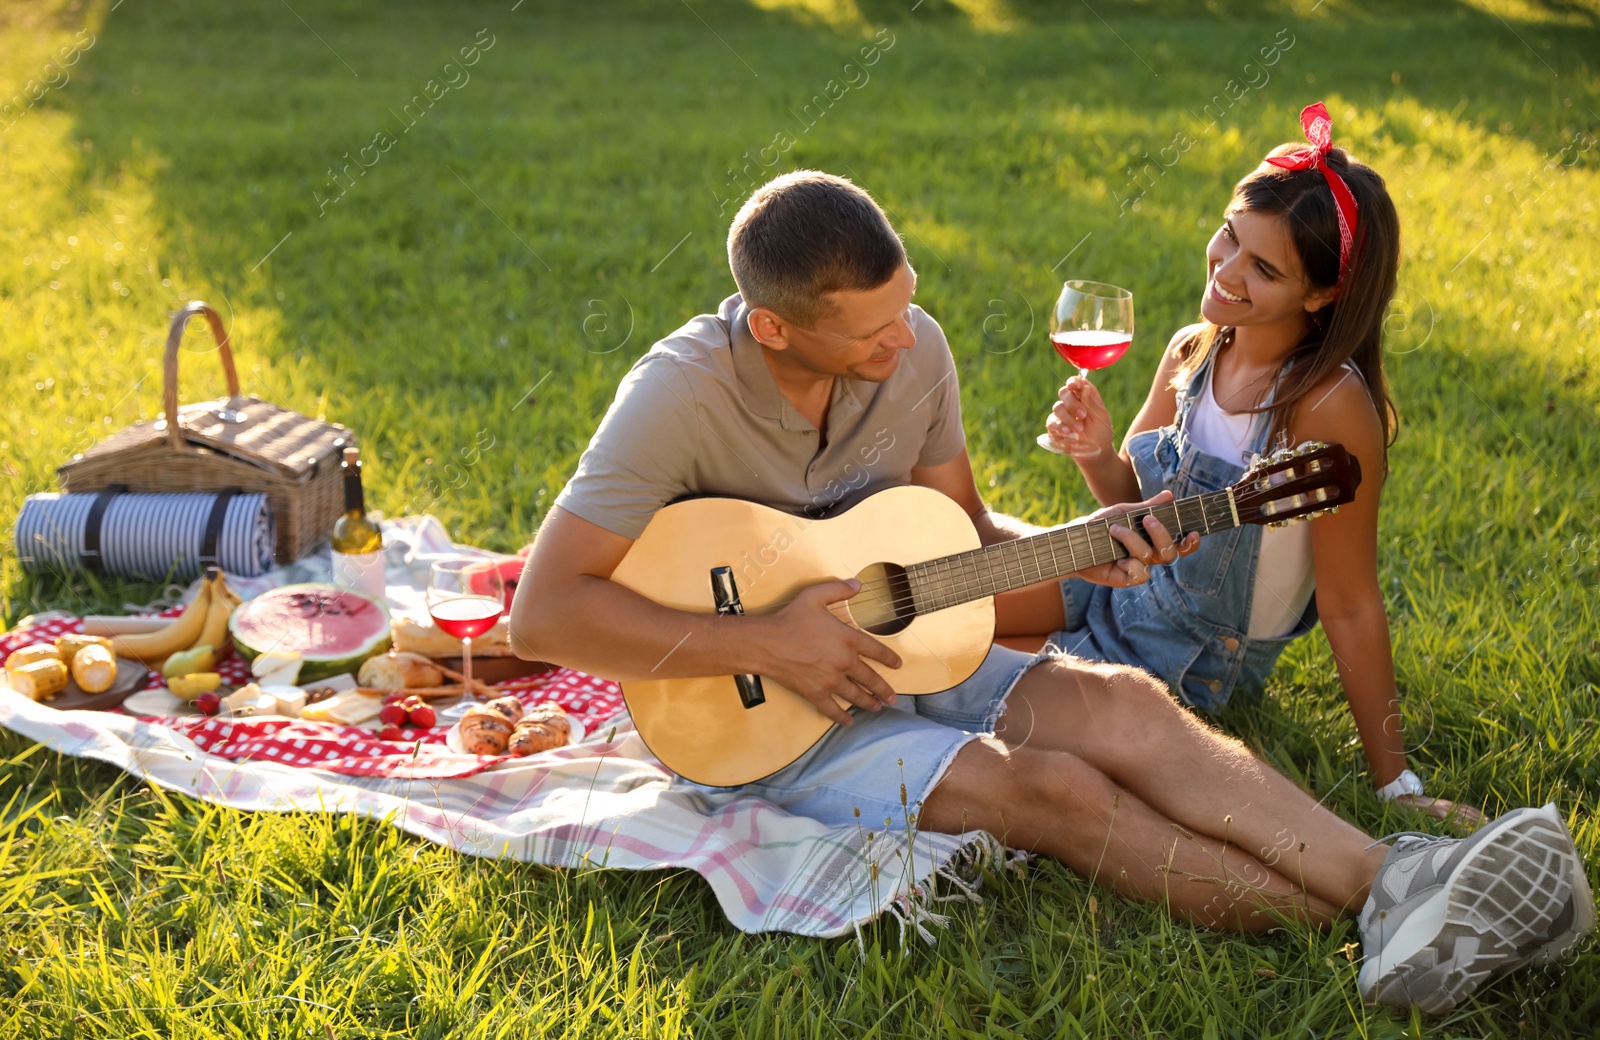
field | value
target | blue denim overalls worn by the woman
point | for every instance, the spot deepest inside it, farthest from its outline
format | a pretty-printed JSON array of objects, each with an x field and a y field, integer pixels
[{"x": 1188, "y": 623}]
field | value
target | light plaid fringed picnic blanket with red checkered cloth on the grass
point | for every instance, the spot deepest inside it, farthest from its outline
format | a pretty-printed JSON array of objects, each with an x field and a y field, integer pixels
[{"x": 604, "y": 802}]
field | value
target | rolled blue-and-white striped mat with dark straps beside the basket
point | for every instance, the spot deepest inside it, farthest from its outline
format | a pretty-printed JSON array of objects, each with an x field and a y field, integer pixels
[{"x": 146, "y": 535}]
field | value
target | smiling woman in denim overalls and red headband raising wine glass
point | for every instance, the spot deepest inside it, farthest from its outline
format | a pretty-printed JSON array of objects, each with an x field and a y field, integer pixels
[{"x": 1300, "y": 276}]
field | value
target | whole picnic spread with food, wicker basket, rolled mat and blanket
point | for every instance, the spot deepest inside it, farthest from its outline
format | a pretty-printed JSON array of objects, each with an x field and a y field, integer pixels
[{"x": 324, "y": 662}]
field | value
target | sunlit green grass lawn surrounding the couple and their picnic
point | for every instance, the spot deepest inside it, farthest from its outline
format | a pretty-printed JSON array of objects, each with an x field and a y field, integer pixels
[{"x": 569, "y": 194}]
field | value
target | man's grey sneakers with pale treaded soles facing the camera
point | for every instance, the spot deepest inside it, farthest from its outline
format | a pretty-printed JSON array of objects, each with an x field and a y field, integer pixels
[{"x": 1447, "y": 914}]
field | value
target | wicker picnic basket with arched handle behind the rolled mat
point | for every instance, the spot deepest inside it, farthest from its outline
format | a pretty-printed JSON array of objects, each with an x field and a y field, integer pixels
[{"x": 234, "y": 442}]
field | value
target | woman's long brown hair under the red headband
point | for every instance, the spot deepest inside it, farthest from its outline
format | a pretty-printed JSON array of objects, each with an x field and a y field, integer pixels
[{"x": 1350, "y": 329}]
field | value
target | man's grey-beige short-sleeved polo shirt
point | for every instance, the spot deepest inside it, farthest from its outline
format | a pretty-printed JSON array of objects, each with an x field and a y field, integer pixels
[{"x": 702, "y": 415}]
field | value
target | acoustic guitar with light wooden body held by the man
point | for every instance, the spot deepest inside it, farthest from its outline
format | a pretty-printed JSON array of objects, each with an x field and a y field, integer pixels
[{"x": 927, "y": 591}]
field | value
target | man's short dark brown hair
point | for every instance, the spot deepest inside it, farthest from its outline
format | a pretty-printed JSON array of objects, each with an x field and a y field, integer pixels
[{"x": 809, "y": 234}]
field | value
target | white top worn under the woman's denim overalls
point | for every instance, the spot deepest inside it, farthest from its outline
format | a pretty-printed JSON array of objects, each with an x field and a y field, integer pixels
[{"x": 1284, "y": 574}]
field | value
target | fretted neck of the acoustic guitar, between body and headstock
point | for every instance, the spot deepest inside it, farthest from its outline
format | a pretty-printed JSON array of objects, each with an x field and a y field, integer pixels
[{"x": 1004, "y": 567}]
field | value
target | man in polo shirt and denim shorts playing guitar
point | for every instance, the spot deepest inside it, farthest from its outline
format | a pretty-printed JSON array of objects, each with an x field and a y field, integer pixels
[{"x": 818, "y": 385}]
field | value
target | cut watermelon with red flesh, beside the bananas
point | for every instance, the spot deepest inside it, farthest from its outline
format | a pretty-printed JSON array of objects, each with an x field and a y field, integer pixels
[{"x": 334, "y": 630}]
